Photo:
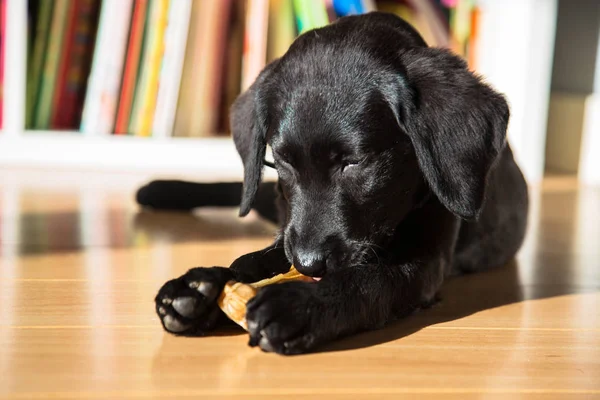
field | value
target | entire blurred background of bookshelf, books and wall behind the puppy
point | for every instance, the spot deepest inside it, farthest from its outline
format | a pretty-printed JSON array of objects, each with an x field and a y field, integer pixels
[{"x": 145, "y": 85}]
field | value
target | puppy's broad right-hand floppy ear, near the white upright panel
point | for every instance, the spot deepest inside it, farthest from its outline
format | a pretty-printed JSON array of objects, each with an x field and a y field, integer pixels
[{"x": 457, "y": 125}]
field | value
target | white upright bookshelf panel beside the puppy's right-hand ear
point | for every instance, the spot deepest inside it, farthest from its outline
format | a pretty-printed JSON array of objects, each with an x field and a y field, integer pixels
[{"x": 515, "y": 55}]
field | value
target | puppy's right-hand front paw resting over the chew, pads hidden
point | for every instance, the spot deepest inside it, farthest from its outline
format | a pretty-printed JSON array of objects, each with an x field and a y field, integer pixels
[{"x": 285, "y": 318}]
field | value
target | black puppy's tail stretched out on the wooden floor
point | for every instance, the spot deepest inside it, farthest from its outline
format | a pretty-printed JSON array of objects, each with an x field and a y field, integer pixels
[{"x": 185, "y": 196}]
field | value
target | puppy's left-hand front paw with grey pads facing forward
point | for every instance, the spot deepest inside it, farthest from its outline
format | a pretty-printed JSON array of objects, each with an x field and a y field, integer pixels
[{"x": 187, "y": 305}]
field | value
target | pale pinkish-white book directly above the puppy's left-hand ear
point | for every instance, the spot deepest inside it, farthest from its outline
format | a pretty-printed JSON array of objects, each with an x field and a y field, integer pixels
[{"x": 255, "y": 41}]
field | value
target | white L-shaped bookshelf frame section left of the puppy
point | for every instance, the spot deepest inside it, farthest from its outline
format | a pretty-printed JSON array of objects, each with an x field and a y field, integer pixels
[{"x": 25, "y": 148}]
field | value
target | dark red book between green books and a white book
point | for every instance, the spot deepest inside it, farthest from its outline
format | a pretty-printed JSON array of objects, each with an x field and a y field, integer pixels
[{"x": 75, "y": 65}]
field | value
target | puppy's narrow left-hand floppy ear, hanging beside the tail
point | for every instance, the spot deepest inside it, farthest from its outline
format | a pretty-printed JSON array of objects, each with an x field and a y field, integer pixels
[{"x": 248, "y": 119}]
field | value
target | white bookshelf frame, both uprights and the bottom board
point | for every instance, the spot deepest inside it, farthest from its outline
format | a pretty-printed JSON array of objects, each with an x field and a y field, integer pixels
[{"x": 525, "y": 83}]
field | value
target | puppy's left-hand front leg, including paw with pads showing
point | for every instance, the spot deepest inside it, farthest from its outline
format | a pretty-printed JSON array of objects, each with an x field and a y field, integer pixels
[{"x": 187, "y": 305}]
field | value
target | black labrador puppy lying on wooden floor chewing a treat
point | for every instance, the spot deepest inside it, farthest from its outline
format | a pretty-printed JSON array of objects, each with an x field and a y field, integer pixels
[{"x": 394, "y": 173}]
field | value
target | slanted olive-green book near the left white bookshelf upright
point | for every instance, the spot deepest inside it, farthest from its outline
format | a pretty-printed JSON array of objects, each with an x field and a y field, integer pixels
[{"x": 37, "y": 58}]
